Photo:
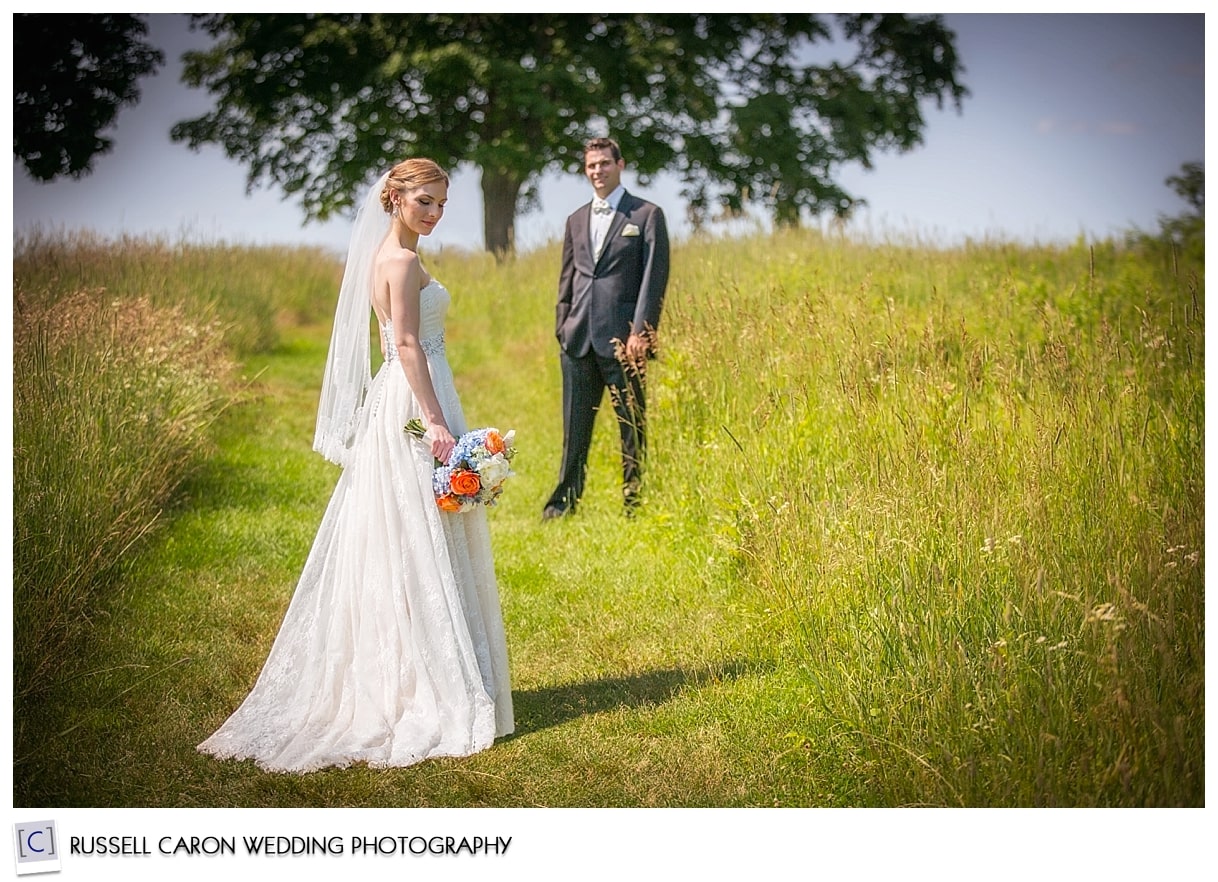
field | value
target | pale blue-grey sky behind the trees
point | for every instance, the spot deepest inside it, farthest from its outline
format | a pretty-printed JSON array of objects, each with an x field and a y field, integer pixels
[{"x": 1074, "y": 125}]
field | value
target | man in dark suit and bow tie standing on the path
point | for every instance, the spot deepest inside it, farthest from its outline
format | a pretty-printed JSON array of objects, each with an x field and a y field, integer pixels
[{"x": 611, "y": 291}]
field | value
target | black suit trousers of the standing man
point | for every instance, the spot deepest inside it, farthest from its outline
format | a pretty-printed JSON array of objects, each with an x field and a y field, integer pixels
[{"x": 585, "y": 381}]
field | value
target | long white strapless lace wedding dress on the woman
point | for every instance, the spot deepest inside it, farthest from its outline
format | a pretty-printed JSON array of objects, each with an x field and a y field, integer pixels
[{"x": 393, "y": 650}]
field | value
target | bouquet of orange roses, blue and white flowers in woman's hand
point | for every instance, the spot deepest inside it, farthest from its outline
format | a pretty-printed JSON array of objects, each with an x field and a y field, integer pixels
[{"x": 476, "y": 471}]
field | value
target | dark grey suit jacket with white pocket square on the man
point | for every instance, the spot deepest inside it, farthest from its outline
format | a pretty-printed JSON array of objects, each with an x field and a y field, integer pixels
[{"x": 623, "y": 292}]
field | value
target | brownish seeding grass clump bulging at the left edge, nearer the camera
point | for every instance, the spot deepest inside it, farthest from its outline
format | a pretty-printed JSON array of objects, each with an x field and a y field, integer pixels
[{"x": 110, "y": 401}]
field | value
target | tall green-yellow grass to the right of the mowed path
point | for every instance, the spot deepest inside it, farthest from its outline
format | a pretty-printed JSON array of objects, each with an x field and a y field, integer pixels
[{"x": 968, "y": 490}]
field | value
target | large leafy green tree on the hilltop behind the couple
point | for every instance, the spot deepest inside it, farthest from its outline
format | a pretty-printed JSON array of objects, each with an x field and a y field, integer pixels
[{"x": 733, "y": 104}]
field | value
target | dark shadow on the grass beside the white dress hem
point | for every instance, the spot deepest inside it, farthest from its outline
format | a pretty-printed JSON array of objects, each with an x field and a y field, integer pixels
[{"x": 554, "y": 706}]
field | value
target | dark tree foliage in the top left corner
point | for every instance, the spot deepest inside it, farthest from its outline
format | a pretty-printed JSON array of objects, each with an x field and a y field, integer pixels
[{"x": 72, "y": 74}]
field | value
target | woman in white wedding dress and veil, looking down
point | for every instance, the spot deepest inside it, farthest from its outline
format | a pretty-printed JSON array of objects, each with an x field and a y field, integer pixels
[{"x": 393, "y": 649}]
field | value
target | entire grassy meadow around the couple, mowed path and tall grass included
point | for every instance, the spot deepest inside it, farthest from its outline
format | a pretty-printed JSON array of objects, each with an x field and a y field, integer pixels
[{"x": 923, "y": 527}]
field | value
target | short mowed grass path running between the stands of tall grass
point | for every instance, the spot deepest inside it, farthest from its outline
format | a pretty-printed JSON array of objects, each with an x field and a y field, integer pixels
[{"x": 628, "y": 689}]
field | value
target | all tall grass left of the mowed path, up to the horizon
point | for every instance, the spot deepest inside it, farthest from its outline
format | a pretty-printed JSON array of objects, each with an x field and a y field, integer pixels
[{"x": 124, "y": 355}]
